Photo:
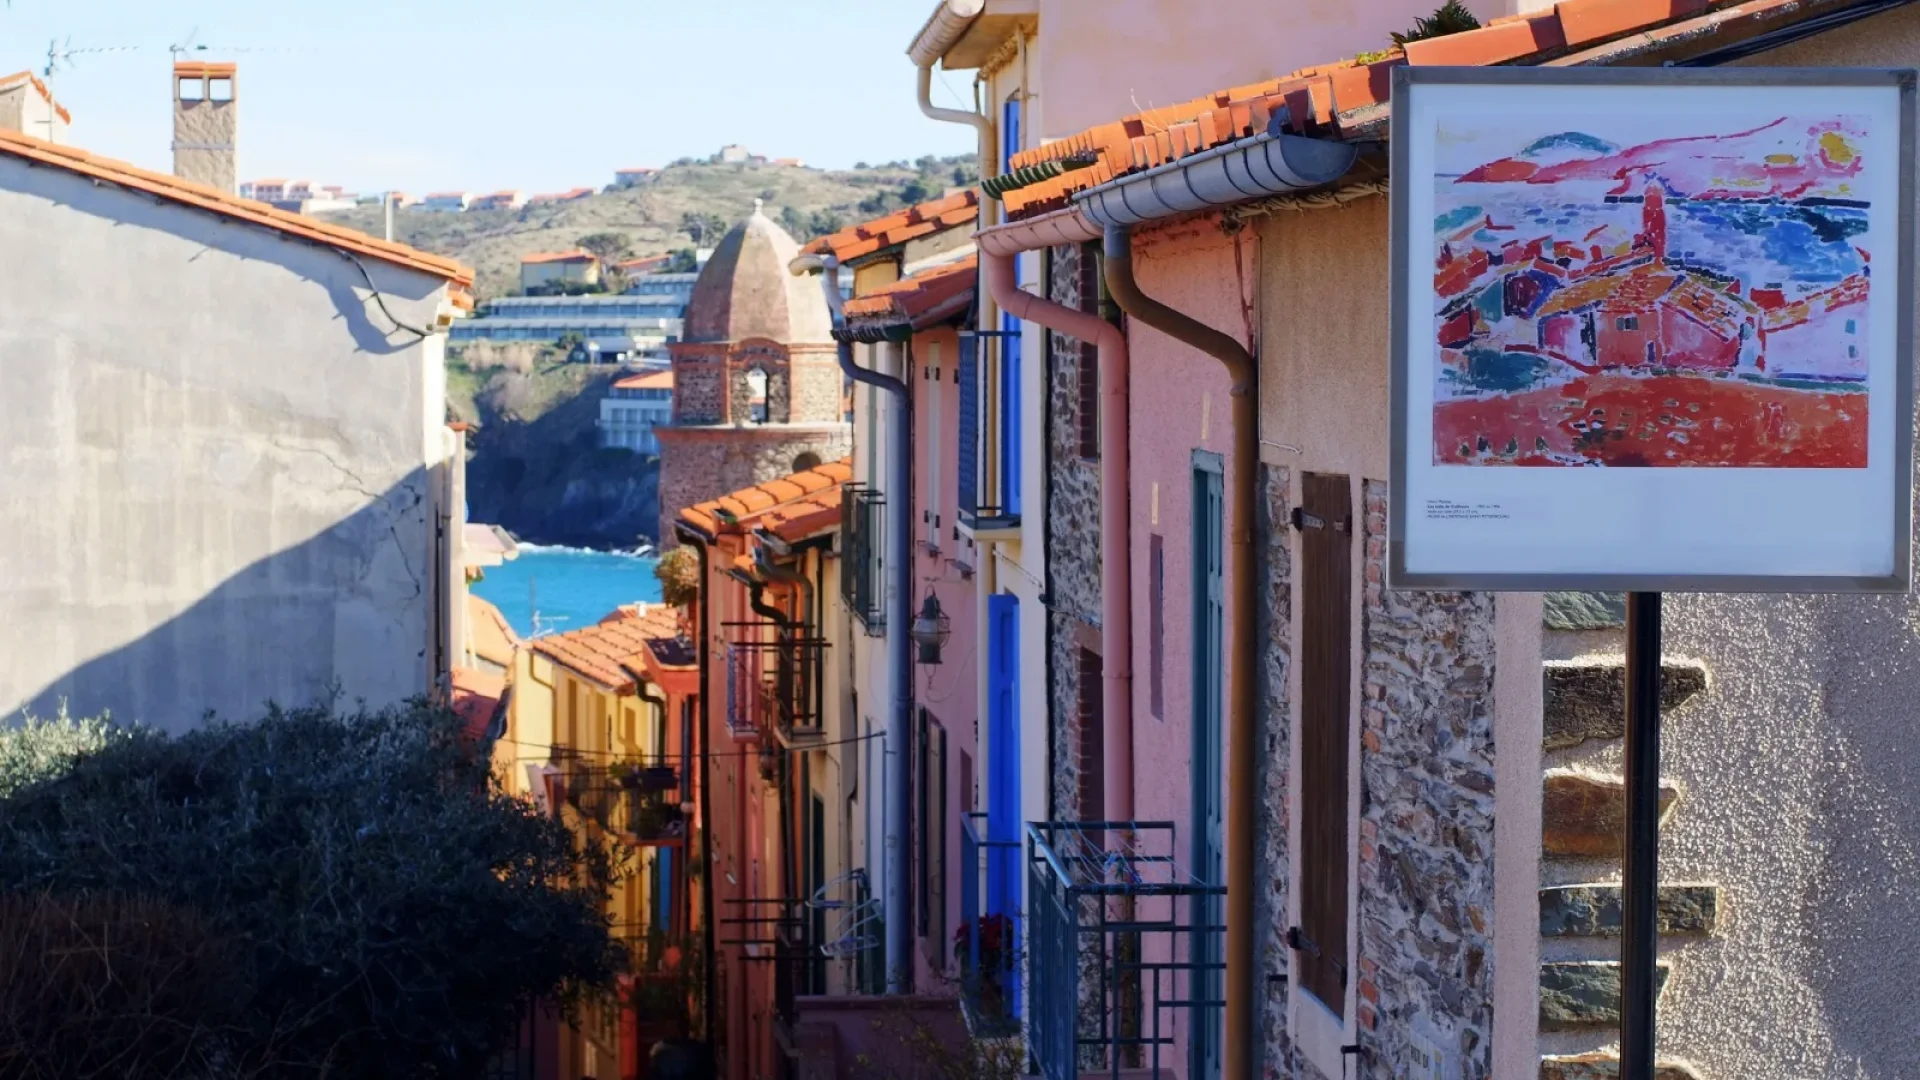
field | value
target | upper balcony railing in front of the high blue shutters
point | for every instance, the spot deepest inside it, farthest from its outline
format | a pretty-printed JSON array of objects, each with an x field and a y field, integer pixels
[{"x": 990, "y": 430}]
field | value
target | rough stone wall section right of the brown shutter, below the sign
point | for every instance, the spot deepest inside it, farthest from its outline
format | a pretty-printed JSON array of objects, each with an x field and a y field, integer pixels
[{"x": 1426, "y": 822}]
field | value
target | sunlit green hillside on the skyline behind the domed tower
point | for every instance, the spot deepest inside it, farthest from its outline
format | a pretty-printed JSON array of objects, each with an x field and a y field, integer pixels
[{"x": 681, "y": 207}]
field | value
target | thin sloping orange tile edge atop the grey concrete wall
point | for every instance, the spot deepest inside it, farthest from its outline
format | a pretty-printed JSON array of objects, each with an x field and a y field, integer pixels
[{"x": 228, "y": 205}]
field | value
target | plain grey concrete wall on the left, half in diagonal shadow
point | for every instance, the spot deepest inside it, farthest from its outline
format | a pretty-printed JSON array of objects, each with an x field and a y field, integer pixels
[{"x": 218, "y": 462}]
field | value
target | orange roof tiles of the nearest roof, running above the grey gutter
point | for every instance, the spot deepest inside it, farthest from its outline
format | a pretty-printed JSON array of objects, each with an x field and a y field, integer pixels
[{"x": 1351, "y": 97}]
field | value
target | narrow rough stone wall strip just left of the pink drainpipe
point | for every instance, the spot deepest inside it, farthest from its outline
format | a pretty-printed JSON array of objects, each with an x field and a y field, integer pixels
[{"x": 1072, "y": 533}]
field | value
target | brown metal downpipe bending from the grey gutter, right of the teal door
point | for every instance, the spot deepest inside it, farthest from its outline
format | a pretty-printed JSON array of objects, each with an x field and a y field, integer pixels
[{"x": 1243, "y": 720}]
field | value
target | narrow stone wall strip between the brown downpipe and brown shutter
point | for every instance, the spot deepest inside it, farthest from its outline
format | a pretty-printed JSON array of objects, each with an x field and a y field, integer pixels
[{"x": 1276, "y": 762}]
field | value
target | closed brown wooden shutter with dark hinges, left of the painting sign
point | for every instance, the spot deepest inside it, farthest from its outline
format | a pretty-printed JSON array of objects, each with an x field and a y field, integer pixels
[{"x": 1326, "y": 668}]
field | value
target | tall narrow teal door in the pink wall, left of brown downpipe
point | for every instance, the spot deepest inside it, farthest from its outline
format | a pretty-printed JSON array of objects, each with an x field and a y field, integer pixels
[{"x": 1209, "y": 825}]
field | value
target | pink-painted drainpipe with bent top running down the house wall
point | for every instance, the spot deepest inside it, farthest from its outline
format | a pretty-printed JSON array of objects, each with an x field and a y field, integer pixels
[{"x": 1116, "y": 554}]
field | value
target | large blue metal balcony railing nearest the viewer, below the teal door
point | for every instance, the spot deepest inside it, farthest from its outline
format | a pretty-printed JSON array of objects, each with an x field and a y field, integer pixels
[{"x": 1126, "y": 966}]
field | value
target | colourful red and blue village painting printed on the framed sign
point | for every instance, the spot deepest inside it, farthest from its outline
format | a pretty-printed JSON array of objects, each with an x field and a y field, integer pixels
[{"x": 1694, "y": 299}]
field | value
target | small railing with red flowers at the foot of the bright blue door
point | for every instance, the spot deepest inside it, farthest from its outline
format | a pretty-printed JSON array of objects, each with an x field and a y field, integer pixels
[{"x": 986, "y": 939}]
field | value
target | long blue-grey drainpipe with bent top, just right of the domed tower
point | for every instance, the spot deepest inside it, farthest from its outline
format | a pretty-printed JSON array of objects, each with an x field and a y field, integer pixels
[{"x": 900, "y": 616}]
